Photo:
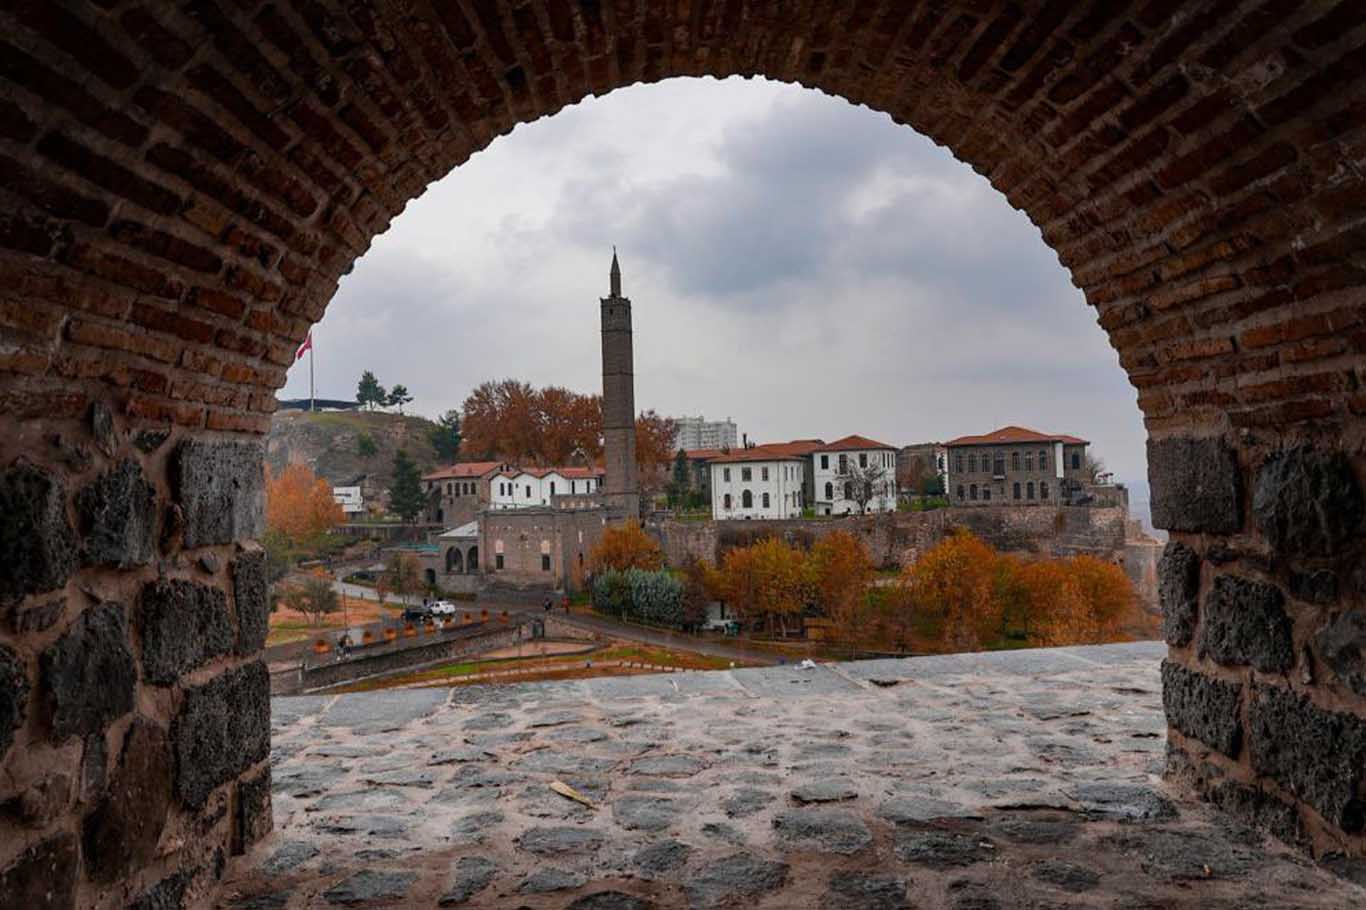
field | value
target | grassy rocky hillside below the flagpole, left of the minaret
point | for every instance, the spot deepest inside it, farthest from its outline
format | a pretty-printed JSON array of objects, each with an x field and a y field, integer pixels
[{"x": 327, "y": 442}]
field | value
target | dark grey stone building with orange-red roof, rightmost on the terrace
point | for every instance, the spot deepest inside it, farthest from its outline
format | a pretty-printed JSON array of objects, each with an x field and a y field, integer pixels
[{"x": 1016, "y": 465}]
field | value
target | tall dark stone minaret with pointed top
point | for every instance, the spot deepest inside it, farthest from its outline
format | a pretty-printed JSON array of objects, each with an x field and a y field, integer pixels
[{"x": 622, "y": 488}]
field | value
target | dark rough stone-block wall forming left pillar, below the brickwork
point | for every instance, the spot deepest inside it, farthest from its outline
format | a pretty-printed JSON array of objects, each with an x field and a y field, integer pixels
[{"x": 135, "y": 711}]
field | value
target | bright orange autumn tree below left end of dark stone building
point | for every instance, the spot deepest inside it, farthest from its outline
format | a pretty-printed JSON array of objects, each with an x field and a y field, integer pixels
[{"x": 954, "y": 584}]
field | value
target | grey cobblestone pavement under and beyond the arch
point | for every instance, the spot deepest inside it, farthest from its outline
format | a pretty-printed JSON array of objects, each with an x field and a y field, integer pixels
[{"x": 975, "y": 782}]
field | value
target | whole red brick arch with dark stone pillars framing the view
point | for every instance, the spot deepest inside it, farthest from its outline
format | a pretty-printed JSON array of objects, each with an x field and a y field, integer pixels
[{"x": 185, "y": 184}]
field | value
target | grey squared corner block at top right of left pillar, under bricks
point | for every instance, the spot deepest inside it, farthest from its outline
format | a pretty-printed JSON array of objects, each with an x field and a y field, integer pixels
[{"x": 222, "y": 491}]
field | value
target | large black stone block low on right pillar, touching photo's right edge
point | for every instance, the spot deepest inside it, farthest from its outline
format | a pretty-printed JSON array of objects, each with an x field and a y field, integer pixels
[{"x": 1318, "y": 755}]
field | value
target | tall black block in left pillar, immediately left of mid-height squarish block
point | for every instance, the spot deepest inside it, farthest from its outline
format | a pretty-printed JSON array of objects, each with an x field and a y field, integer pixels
[{"x": 89, "y": 673}]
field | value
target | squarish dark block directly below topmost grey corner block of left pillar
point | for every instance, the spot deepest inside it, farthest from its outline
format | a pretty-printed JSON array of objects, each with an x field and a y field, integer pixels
[{"x": 184, "y": 626}]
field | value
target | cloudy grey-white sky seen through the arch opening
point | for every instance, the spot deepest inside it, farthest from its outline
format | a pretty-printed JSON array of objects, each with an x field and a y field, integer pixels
[{"x": 801, "y": 266}]
